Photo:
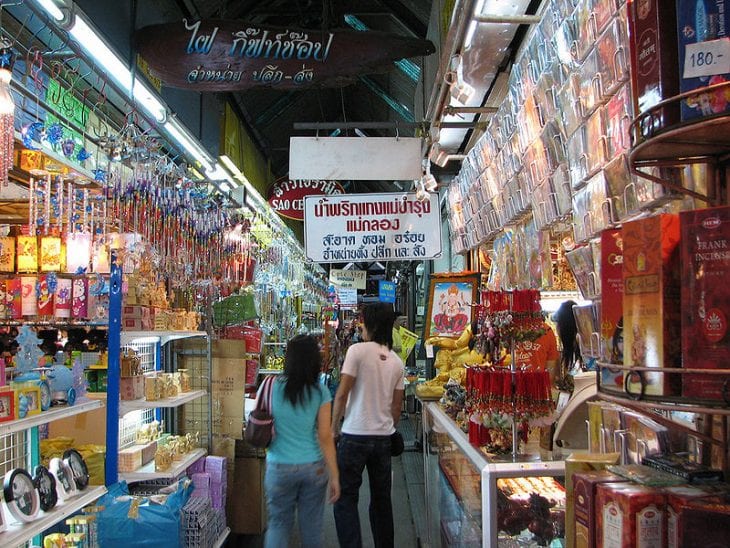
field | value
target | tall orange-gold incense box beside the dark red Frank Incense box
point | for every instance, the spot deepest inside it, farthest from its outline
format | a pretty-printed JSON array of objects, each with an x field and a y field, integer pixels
[{"x": 651, "y": 302}]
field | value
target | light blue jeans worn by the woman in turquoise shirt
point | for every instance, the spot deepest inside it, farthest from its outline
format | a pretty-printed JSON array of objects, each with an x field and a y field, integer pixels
[{"x": 295, "y": 487}]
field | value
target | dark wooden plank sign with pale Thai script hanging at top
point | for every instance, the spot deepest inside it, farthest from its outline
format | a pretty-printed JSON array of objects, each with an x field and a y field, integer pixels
[{"x": 222, "y": 55}]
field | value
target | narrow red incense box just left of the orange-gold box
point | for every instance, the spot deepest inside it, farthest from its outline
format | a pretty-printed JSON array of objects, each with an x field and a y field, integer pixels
[{"x": 612, "y": 310}]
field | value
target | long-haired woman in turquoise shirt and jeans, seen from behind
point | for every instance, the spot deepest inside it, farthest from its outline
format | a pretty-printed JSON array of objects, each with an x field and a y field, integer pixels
[{"x": 301, "y": 460}]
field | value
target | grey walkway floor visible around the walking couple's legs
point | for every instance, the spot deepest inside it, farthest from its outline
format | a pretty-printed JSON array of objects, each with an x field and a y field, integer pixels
[{"x": 407, "y": 496}]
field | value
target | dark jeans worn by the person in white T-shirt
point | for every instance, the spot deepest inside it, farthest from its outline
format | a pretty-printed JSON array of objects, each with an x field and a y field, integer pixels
[{"x": 354, "y": 454}]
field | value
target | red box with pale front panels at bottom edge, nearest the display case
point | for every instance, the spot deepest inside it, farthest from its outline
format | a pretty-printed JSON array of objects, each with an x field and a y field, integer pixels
[{"x": 629, "y": 515}]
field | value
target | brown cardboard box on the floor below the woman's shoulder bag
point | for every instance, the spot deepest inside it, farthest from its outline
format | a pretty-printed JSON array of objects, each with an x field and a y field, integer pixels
[{"x": 247, "y": 514}]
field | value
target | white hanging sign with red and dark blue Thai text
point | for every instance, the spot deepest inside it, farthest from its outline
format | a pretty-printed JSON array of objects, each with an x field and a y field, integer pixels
[{"x": 371, "y": 227}]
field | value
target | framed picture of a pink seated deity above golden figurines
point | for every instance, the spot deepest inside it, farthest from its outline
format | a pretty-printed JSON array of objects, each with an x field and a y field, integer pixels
[{"x": 451, "y": 300}]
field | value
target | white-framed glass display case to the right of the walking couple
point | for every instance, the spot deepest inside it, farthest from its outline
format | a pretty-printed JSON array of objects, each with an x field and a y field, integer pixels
[{"x": 475, "y": 499}]
